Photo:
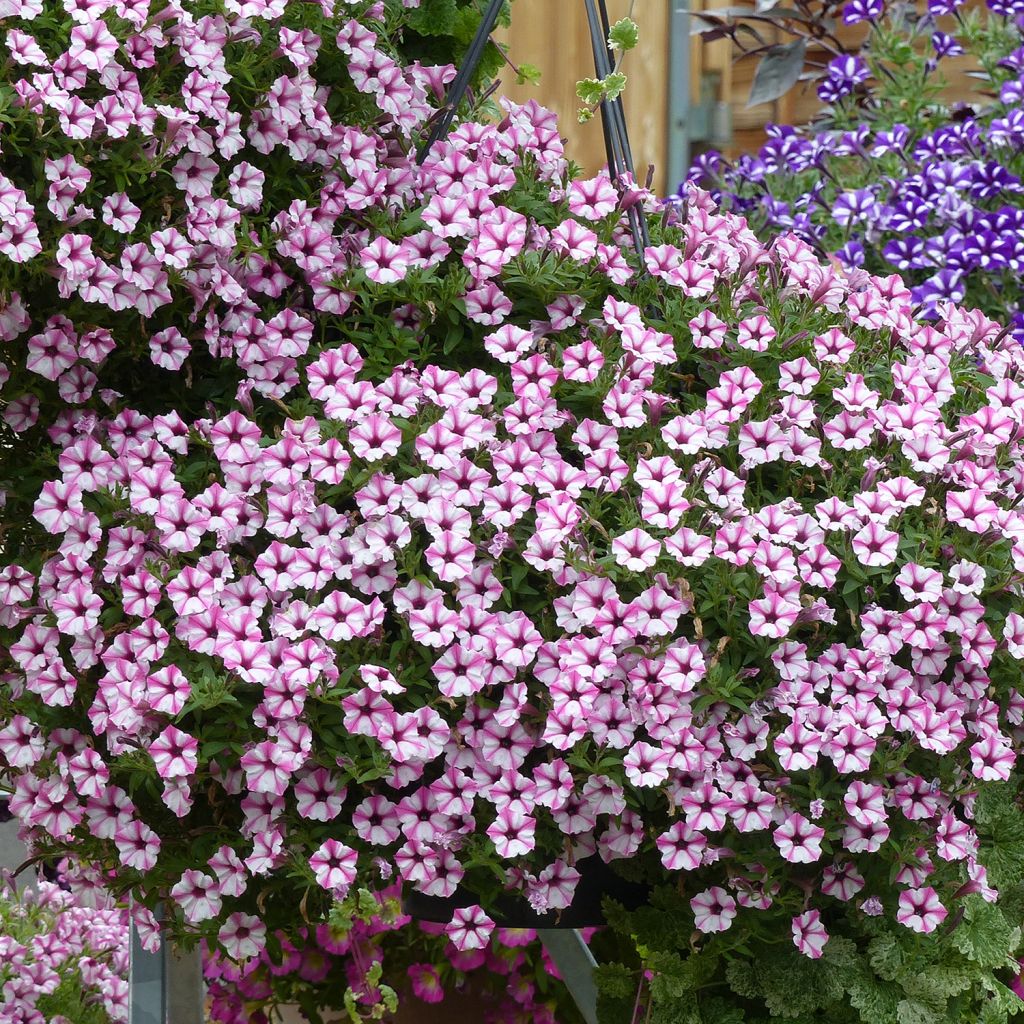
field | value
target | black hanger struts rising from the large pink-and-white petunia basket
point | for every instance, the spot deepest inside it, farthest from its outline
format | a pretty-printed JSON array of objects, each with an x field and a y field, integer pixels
[{"x": 617, "y": 141}]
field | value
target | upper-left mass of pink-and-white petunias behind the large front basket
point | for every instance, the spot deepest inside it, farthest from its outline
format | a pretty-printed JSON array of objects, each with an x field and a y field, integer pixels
[{"x": 199, "y": 113}]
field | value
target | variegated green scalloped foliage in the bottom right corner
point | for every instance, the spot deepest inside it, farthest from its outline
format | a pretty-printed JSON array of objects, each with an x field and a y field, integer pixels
[{"x": 871, "y": 972}]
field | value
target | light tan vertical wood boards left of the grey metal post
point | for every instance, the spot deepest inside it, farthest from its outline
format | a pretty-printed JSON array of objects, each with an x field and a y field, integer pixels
[{"x": 554, "y": 36}]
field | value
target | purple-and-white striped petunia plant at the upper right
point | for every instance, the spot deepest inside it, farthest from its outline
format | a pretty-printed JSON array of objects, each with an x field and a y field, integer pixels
[{"x": 892, "y": 177}]
